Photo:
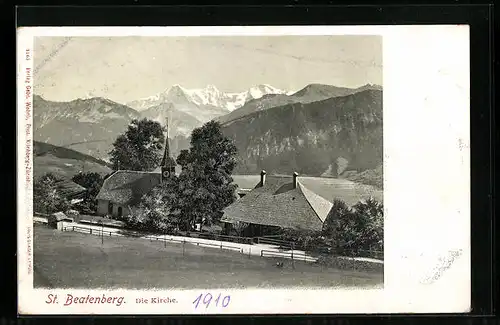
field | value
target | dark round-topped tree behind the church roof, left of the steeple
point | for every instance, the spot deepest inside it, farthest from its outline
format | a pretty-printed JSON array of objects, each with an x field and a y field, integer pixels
[{"x": 139, "y": 148}]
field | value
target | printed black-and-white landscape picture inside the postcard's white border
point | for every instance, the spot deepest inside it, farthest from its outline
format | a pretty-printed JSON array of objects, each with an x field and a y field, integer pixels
[{"x": 182, "y": 162}]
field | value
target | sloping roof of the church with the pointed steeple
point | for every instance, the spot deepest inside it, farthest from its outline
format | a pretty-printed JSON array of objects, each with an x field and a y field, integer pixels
[{"x": 127, "y": 187}]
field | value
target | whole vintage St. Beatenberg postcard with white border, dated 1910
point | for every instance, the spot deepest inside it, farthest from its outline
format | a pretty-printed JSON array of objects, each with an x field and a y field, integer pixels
[{"x": 243, "y": 170}]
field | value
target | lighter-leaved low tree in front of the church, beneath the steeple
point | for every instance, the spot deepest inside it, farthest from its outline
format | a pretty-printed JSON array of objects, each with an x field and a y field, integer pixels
[{"x": 158, "y": 210}]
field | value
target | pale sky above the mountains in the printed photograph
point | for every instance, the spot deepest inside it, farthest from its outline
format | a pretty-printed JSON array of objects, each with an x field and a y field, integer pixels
[{"x": 128, "y": 68}]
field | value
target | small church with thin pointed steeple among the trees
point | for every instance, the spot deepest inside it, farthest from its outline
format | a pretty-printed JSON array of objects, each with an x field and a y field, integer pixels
[{"x": 123, "y": 189}]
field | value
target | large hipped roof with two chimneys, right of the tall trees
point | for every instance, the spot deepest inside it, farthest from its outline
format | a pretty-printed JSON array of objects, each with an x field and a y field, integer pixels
[{"x": 278, "y": 203}]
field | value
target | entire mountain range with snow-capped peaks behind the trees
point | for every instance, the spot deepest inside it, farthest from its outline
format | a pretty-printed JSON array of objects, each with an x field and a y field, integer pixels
[{"x": 318, "y": 130}]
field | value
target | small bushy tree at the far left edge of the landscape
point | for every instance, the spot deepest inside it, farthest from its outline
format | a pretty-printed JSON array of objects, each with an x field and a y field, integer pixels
[{"x": 46, "y": 197}]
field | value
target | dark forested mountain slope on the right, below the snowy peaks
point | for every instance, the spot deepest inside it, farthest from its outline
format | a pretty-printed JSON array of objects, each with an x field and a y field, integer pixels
[{"x": 326, "y": 137}]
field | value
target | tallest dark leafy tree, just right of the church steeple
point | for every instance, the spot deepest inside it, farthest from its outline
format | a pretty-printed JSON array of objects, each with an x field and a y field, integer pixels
[{"x": 205, "y": 183}]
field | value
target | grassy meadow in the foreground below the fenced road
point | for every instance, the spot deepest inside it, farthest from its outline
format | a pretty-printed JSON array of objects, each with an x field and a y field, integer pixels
[{"x": 75, "y": 260}]
